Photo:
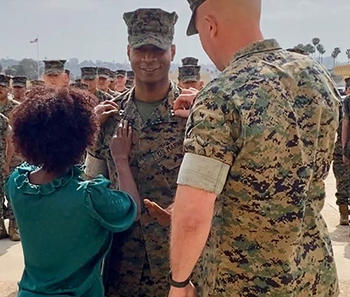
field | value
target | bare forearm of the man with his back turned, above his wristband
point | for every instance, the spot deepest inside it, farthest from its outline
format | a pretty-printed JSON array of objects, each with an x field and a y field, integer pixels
[{"x": 191, "y": 223}]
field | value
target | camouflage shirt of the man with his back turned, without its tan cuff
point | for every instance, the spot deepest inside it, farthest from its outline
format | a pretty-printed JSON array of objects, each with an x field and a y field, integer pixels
[{"x": 275, "y": 115}]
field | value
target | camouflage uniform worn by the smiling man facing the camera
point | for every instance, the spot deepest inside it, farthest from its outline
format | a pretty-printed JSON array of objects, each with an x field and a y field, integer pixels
[{"x": 139, "y": 260}]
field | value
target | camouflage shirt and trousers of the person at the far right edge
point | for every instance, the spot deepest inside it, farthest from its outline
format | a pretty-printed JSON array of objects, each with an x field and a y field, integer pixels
[{"x": 341, "y": 171}]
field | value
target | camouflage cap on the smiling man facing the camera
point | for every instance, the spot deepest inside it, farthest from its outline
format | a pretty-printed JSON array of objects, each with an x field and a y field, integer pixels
[{"x": 151, "y": 26}]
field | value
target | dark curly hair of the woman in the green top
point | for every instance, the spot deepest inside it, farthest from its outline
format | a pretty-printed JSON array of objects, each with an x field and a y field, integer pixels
[{"x": 53, "y": 127}]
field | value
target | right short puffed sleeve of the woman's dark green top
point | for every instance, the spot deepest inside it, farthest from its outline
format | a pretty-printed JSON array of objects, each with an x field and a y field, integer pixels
[{"x": 114, "y": 210}]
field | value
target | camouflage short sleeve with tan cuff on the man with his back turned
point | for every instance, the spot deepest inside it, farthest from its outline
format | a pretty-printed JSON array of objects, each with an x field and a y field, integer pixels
[{"x": 210, "y": 142}]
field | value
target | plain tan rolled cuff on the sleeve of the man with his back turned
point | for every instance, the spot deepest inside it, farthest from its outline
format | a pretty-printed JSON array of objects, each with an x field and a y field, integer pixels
[{"x": 204, "y": 173}]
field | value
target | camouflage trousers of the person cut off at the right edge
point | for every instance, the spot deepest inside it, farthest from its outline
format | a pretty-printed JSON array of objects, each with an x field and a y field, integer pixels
[{"x": 342, "y": 177}]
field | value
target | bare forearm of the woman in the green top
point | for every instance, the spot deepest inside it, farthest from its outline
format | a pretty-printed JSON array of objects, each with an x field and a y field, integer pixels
[{"x": 127, "y": 182}]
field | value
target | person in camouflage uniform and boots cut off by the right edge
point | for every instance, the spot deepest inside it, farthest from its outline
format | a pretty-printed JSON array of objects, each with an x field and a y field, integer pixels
[{"x": 341, "y": 170}]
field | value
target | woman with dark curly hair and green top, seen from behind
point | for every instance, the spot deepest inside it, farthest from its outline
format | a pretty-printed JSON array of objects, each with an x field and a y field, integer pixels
[{"x": 65, "y": 223}]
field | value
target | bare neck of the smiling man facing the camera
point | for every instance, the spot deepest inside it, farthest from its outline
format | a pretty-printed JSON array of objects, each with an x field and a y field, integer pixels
[{"x": 152, "y": 92}]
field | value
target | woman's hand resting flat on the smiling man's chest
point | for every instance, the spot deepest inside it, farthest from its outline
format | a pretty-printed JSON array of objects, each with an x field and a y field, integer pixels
[{"x": 120, "y": 145}]
